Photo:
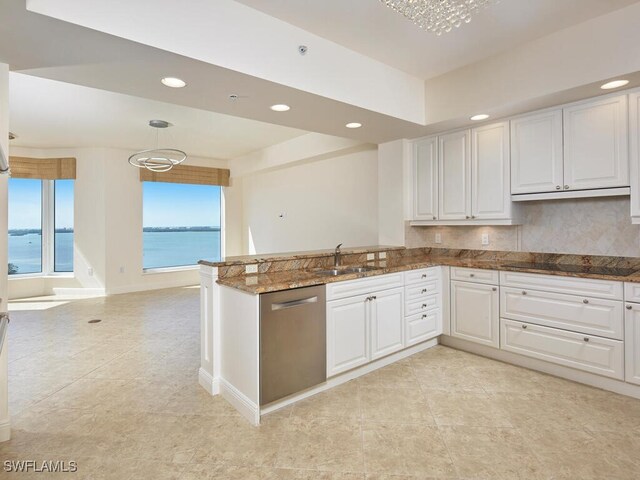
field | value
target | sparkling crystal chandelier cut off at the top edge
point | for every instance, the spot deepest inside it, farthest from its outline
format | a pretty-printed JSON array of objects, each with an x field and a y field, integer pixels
[{"x": 437, "y": 16}]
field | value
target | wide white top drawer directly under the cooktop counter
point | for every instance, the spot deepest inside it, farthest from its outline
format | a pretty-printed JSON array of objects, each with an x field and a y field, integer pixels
[{"x": 587, "y": 287}]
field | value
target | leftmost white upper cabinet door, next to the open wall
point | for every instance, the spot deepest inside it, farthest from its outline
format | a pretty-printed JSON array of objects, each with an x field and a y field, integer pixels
[{"x": 425, "y": 179}]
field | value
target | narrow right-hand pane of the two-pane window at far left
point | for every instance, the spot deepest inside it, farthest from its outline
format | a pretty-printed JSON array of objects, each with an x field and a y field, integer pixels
[{"x": 63, "y": 226}]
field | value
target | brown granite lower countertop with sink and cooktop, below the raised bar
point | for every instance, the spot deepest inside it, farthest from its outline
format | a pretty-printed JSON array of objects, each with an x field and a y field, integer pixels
[{"x": 284, "y": 280}]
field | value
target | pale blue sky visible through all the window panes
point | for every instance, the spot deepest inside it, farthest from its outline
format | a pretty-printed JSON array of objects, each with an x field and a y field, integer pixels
[{"x": 164, "y": 204}]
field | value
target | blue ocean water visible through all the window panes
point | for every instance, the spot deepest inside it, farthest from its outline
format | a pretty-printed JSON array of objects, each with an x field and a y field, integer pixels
[{"x": 161, "y": 249}]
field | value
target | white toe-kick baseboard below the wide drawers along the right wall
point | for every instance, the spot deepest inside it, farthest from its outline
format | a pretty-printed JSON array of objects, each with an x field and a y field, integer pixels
[{"x": 579, "y": 376}]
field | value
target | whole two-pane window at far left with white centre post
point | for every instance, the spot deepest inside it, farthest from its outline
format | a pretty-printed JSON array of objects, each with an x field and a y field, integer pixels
[{"x": 40, "y": 226}]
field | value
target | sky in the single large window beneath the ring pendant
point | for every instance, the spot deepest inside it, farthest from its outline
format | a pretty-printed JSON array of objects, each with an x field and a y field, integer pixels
[{"x": 177, "y": 205}]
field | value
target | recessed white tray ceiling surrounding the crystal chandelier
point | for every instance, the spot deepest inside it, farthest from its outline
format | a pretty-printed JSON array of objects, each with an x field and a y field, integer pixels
[{"x": 372, "y": 29}]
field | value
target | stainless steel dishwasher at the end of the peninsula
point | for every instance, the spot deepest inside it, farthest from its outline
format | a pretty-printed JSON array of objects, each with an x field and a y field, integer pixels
[{"x": 293, "y": 352}]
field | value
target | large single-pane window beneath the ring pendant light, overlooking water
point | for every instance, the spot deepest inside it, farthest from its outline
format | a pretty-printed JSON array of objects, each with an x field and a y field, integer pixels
[{"x": 181, "y": 224}]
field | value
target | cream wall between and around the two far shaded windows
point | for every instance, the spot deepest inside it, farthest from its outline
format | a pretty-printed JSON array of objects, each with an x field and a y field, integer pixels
[{"x": 107, "y": 226}]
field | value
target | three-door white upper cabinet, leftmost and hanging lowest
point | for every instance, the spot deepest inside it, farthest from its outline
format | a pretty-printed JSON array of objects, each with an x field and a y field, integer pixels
[{"x": 462, "y": 178}]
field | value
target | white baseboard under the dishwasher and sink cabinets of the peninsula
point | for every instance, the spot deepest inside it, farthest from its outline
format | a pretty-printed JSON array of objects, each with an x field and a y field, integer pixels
[{"x": 350, "y": 375}]
